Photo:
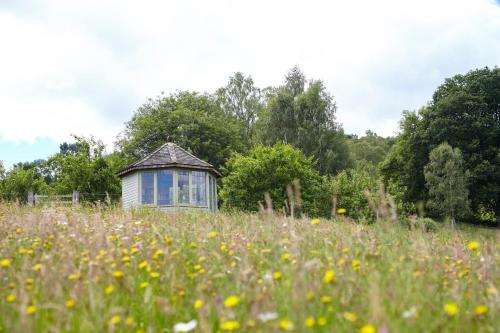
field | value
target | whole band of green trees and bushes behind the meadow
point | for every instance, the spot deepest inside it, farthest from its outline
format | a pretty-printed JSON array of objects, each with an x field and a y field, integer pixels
[{"x": 263, "y": 139}]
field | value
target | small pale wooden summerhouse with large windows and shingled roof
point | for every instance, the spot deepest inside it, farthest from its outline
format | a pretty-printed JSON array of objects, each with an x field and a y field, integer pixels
[{"x": 171, "y": 179}]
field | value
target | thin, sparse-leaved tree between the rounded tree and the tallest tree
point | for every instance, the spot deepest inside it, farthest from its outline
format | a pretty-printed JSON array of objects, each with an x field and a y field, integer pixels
[{"x": 241, "y": 99}]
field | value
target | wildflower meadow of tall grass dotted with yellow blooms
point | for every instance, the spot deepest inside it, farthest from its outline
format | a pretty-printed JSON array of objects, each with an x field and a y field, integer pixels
[{"x": 100, "y": 270}]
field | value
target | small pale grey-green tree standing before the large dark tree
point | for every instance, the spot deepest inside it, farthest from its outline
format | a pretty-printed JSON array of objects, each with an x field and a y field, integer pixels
[{"x": 447, "y": 182}]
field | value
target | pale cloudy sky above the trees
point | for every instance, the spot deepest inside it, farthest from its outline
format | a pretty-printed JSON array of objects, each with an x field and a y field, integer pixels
[{"x": 84, "y": 67}]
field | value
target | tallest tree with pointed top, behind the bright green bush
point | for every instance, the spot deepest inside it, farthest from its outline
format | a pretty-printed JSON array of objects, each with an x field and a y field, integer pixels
[{"x": 305, "y": 118}]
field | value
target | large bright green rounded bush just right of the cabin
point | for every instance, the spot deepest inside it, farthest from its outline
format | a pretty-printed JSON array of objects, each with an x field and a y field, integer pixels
[{"x": 271, "y": 169}]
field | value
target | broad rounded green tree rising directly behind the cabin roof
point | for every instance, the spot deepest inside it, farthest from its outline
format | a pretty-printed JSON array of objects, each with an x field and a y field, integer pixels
[{"x": 193, "y": 121}]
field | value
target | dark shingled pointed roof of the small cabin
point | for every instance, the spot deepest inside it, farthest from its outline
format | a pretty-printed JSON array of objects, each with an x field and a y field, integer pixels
[{"x": 169, "y": 155}]
